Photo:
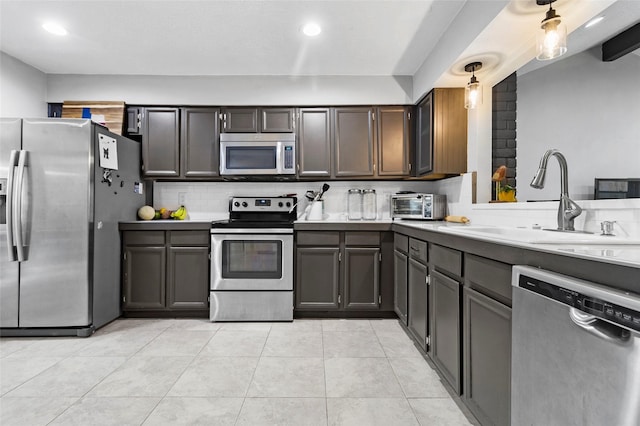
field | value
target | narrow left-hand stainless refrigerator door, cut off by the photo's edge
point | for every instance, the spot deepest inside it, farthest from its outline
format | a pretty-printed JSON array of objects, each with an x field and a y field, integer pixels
[{"x": 10, "y": 136}]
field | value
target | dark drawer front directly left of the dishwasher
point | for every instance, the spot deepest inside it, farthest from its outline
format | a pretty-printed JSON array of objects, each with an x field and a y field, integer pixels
[{"x": 489, "y": 277}]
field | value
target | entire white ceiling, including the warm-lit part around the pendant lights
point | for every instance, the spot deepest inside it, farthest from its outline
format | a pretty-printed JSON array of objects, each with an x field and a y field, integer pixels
[{"x": 263, "y": 37}]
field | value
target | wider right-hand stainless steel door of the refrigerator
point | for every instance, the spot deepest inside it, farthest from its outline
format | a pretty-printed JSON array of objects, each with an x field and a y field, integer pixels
[{"x": 57, "y": 210}]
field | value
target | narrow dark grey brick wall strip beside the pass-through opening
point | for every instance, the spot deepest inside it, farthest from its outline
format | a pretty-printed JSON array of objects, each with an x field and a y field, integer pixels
[{"x": 503, "y": 115}]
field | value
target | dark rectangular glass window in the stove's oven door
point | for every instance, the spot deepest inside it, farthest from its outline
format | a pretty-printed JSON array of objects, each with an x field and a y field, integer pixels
[{"x": 252, "y": 259}]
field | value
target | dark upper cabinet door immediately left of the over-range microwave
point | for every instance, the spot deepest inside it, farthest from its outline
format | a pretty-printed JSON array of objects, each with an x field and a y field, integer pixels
[{"x": 200, "y": 142}]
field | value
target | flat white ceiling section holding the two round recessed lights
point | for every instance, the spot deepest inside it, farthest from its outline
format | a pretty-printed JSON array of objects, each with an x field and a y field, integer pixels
[{"x": 225, "y": 37}]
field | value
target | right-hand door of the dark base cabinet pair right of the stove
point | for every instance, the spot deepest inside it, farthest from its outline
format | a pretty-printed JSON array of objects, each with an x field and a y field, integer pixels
[{"x": 362, "y": 278}]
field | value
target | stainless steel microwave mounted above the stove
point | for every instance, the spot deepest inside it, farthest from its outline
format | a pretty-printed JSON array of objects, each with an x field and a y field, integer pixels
[{"x": 257, "y": 154}]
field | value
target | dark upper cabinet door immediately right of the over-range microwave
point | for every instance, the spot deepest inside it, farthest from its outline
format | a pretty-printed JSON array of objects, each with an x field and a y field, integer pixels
[{"x": 314, "y": 142}]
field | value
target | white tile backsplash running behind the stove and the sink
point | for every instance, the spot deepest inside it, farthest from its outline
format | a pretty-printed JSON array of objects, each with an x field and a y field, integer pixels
[{"x": 209, "y": 201}]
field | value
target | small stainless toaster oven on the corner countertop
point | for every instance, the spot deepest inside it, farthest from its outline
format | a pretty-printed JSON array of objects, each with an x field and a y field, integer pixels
[{"x": 418, "y": 206}]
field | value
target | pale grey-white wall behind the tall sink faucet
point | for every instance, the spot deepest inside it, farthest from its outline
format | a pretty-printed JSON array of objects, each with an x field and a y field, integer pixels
[{"x": 590, "y": 111}]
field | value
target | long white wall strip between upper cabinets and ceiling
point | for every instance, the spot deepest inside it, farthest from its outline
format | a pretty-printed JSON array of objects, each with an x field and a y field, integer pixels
[{"x": 231, "y": 90}]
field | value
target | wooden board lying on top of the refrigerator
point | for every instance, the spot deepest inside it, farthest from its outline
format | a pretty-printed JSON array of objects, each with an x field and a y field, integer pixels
[{"x": 107, "y": 113}]
